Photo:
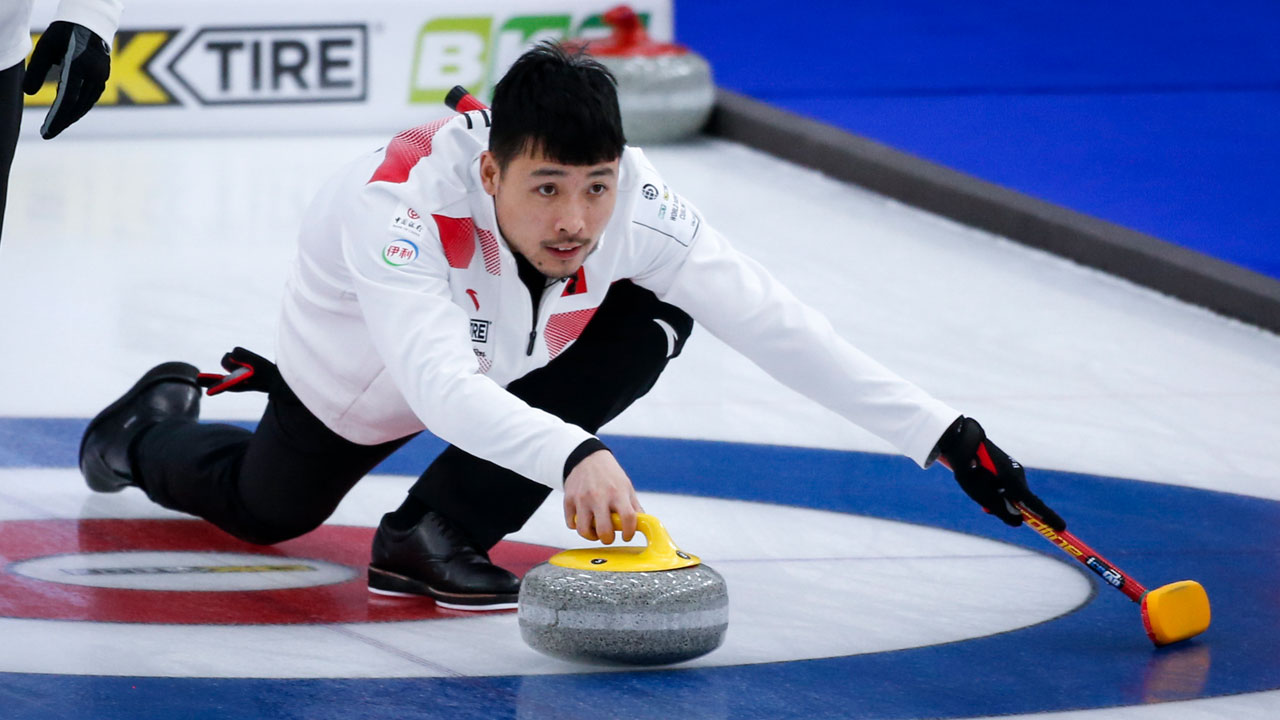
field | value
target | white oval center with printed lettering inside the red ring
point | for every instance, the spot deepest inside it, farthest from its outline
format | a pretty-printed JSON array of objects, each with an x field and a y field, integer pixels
[{"x": 184, "y": 572}]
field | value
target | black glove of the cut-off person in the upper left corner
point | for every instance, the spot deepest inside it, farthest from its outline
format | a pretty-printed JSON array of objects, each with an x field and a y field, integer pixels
[{"x": 85, "y": 61}]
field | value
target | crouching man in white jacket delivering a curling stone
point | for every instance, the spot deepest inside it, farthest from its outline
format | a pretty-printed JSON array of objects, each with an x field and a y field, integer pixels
[{"x": 510, "y": 281}]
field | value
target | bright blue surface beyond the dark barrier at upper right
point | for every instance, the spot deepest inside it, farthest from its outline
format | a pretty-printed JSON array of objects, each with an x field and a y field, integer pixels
[{"x": 1163, "y": 117}]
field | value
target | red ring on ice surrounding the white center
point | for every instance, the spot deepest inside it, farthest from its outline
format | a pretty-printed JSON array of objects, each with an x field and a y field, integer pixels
[{"x": 342, "y": 603}]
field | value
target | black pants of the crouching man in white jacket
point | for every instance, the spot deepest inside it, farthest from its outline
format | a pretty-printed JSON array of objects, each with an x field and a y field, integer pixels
[{"x": 289, "y": 476}]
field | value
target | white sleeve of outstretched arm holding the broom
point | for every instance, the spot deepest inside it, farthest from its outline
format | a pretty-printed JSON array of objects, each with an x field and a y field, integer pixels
[{"x": 740, "y": 303}]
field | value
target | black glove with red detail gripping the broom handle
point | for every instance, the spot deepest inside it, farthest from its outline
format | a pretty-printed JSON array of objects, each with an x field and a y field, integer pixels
[{"x": 990, "y": 477}]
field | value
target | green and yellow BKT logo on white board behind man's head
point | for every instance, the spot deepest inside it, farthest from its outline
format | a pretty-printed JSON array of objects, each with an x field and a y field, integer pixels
[{"x": 476, "y": 52}]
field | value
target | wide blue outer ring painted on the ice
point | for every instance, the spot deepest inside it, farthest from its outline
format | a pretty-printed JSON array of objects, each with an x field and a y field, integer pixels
[{"x": 1094, "y": 658}]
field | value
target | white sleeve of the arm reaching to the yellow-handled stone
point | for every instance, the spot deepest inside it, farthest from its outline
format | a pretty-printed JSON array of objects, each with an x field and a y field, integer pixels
[{"x": 423, "y": 339}]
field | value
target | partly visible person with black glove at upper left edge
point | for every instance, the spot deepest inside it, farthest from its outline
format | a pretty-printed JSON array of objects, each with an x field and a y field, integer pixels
[{"x": 79, "y": 43}]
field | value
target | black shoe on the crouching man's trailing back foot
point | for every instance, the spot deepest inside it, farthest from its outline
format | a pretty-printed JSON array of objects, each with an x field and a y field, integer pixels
[{"x": 166, "y": 391}]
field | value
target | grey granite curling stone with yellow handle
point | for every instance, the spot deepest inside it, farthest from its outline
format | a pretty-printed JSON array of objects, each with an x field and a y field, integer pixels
[{"x": 652, "y": 605}]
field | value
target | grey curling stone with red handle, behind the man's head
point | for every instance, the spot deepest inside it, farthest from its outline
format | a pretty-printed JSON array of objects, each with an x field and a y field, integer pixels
[{"x": 665, "y": 90}]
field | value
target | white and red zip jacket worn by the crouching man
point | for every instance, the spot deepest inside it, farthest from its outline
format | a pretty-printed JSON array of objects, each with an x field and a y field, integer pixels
[{"x": 405, "y": 311}]
